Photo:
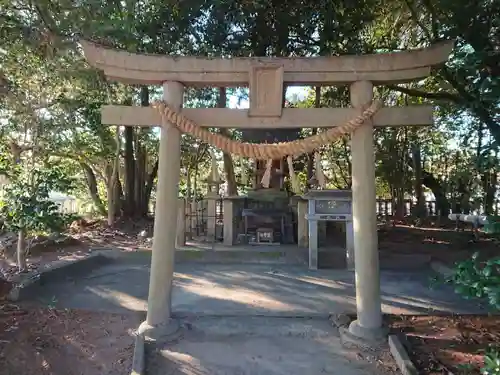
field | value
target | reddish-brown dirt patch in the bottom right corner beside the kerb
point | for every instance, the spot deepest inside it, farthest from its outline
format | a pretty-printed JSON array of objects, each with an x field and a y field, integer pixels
[{"x": 447, "y": 344}]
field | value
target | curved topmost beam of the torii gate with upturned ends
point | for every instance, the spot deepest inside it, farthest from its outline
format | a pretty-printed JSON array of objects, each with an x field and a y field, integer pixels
[{"x": 380, "y": 68}]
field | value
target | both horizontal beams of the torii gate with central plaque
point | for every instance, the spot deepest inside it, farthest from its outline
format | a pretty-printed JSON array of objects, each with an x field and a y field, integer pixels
[{"x": 265, "y": 78}]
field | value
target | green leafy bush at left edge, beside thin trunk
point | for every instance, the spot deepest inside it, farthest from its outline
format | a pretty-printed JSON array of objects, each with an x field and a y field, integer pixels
[{"x": 26, "y": 204}]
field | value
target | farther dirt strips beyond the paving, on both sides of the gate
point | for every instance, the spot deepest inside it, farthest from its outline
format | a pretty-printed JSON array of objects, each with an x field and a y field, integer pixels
[{"x": 440, "y": 241}]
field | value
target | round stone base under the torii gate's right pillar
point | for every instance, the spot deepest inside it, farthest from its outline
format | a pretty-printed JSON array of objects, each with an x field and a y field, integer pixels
[{"x": 362, "y": 337}]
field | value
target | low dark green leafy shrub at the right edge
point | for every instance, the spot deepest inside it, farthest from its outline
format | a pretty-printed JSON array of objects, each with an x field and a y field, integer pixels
[{"x": 473, "y": 278}]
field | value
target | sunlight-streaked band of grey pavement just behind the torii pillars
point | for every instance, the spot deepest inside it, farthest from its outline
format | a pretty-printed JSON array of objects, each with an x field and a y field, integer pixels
[{"x": 272, "y": 292}]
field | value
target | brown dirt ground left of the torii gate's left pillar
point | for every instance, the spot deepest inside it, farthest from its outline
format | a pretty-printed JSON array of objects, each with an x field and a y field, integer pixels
[{"x": 45, "y": 341}]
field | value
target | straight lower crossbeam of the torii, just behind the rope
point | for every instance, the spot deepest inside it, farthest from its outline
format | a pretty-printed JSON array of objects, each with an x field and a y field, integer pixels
[{"x": 291, "y": 117}]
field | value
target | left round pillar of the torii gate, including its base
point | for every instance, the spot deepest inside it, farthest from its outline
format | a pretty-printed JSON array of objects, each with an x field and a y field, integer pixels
[{"x": 158, "y": 321}]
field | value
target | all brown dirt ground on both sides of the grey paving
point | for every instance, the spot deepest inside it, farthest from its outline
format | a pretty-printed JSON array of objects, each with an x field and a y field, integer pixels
[{"x": 88, "y": 343}]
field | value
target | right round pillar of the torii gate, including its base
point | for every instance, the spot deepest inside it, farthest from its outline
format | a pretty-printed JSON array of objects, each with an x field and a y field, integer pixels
[{"x": 368, "y": 302}]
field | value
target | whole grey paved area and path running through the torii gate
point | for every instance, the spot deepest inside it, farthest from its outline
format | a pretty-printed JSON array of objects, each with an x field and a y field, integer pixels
[{"x": 252, "y": 319}]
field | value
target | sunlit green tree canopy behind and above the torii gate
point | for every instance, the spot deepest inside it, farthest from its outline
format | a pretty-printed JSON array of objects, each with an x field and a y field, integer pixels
[{"x": 62, "y": 95}]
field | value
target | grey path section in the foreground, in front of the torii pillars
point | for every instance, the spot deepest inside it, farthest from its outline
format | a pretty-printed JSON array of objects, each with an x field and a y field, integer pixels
[{"x": 263, "y": 346}]
